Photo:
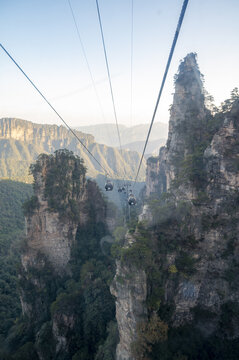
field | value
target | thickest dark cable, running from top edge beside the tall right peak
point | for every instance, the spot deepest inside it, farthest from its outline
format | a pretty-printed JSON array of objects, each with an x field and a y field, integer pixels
[{"x": 180, "y": 21}]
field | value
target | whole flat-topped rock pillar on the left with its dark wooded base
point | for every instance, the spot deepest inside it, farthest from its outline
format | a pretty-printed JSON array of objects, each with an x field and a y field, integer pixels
[{"x": 66, "y": 303}]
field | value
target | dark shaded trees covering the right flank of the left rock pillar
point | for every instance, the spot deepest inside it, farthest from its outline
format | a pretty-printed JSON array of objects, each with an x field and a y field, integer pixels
[{"x": 85, "y": 297}]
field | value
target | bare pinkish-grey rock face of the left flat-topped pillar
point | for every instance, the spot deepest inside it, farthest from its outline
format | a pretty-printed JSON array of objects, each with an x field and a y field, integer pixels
[{"x": 47, "y": 232}]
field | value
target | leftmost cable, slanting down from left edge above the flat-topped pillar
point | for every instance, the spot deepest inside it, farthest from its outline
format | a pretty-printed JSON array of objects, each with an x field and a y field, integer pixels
[{"x": 60, "y": 117}]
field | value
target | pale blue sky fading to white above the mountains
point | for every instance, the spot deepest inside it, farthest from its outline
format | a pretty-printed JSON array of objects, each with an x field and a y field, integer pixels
[{"x": 42, "y": 38}]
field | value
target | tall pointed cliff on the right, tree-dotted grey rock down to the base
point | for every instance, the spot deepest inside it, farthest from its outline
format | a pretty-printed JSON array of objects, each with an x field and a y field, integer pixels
[{"x": 187, "y": 241}]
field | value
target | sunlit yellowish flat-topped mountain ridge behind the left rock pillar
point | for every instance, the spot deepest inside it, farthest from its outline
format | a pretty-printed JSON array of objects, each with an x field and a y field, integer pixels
[{"x": 22, "y": 141}]
